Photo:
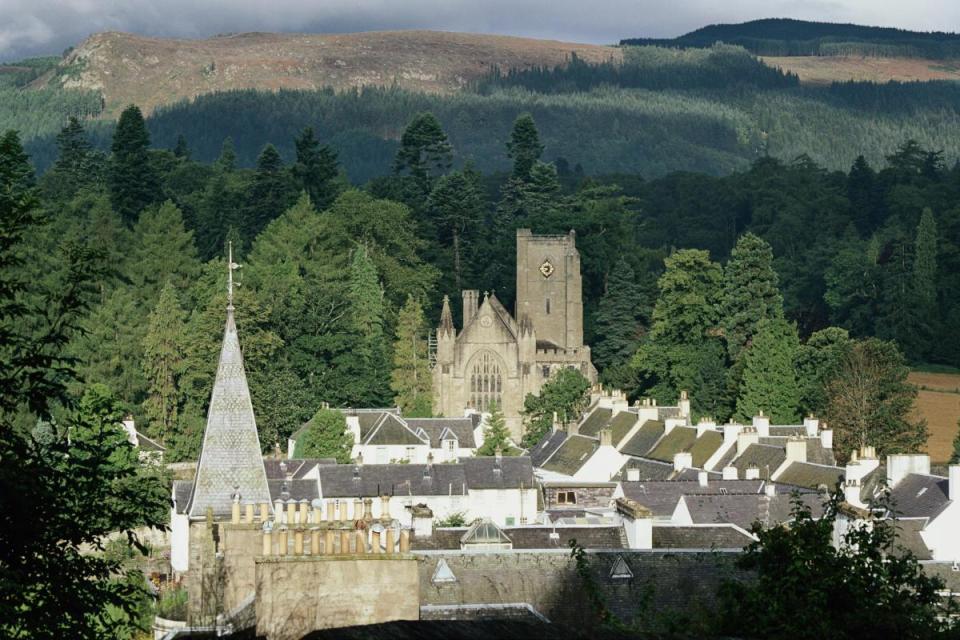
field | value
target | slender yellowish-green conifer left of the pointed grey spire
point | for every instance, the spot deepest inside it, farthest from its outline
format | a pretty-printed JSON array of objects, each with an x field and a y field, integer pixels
[{"x": 163, "y": 363}]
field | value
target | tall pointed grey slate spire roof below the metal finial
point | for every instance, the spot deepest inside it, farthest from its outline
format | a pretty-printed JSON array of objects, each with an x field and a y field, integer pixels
[{"x": 230, "y": 457}]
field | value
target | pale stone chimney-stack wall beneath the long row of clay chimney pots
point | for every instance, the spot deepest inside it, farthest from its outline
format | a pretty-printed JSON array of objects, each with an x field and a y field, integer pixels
[{"x": 296, "y": 595}]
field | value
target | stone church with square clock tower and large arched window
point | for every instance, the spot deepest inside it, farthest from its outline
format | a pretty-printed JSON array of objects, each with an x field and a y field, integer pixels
[{"x": 498, "y": 358}]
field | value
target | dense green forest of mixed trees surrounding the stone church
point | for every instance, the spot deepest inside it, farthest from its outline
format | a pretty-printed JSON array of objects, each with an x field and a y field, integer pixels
[{"x": 821, "y": 273}]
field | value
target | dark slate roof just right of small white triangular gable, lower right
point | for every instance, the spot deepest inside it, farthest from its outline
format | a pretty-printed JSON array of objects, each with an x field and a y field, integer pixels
[{"x": 743, "y": 510}]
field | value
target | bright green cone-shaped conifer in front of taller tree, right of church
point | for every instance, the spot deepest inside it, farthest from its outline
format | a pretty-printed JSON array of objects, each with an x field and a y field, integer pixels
[{"x": 769, "y": 377}]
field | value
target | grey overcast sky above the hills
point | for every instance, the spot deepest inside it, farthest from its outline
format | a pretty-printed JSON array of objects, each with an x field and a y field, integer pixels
[{"x": 32, "y": 27}]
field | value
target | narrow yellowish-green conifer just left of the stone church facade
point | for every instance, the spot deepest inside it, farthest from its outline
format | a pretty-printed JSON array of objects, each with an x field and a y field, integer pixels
[{"x": 410, "y": 379}]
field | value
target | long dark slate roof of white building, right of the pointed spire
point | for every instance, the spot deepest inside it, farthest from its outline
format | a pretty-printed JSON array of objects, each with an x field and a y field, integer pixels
[{"x": 371, "y": 480}]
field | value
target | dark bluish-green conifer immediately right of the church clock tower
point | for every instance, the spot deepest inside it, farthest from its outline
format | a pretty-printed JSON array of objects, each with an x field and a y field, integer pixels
[{"x": 618, "y": 319}]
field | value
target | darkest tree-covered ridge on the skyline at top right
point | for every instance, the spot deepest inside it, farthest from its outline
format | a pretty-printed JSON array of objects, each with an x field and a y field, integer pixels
[{"x": 790, "y": 37}]
